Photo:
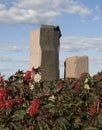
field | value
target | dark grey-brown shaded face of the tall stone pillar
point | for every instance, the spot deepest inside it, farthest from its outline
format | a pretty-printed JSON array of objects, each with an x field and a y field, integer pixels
[{"x": 49, "y": 42}]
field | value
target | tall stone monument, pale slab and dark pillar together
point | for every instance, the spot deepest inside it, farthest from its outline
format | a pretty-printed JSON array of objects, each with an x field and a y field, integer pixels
[{"x": 44, "y": 51}]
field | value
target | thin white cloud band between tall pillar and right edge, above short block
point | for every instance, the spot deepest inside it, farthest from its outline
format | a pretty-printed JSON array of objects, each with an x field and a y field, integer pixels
[{"x": 73, "y": 44}]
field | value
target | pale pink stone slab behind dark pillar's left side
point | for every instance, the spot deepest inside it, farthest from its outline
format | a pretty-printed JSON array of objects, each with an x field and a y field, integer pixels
[{"x": 35, "y": 49}]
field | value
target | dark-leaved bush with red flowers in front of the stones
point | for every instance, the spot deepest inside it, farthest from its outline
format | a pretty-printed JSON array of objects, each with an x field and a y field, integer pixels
[{"x": 71, "y": 104}]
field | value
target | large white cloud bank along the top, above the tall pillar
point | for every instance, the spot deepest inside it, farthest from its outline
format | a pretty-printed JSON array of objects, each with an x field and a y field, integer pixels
[{"x": 39, "y": 12}]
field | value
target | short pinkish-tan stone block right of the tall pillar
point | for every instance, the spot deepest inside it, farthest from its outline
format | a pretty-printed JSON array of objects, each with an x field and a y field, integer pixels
[{"x": 75, "y": 66}]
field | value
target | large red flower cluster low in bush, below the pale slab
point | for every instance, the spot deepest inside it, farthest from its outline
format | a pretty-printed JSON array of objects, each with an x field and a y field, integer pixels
[{"x": 35, "y": 107}]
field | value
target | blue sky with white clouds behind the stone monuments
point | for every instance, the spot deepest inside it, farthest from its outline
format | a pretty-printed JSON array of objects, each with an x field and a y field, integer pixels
[{"x": 80, "y": 23}]
